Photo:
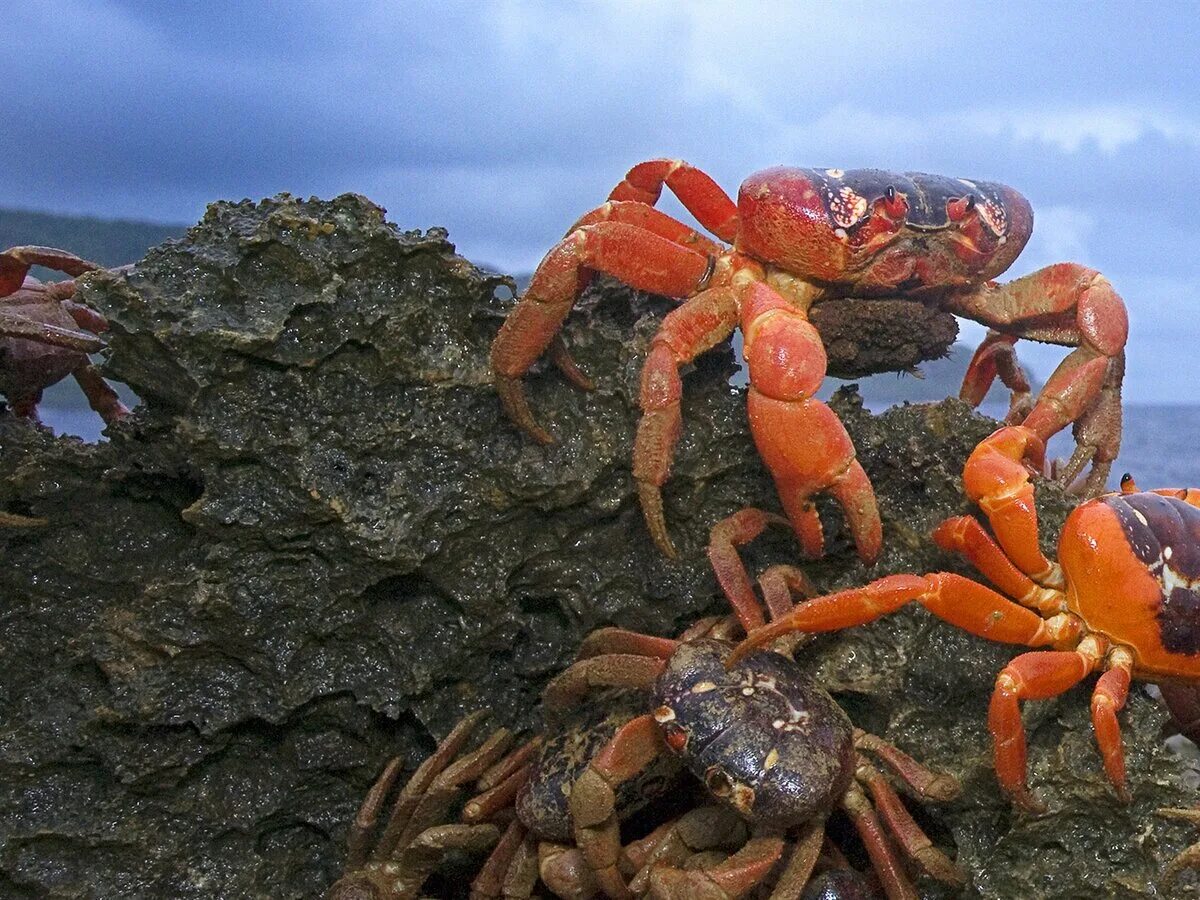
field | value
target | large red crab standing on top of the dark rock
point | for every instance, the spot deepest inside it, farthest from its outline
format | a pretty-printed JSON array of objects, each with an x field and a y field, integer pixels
[{"x": 796, "y": 238}]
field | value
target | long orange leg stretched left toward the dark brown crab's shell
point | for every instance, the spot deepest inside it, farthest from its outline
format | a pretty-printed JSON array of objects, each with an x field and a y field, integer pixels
[{"x": 952, "y": 598}]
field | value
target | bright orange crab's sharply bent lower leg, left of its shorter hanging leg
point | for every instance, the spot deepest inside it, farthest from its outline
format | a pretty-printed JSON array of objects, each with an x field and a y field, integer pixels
[{"x": 1031, "y": 676}]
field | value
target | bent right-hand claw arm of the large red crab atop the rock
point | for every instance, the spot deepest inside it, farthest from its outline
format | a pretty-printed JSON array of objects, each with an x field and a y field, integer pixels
[{"x": 1076, "y": 307}]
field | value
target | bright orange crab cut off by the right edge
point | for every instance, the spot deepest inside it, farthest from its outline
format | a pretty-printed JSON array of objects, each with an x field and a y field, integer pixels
[{"x": 1124, "y": 598}]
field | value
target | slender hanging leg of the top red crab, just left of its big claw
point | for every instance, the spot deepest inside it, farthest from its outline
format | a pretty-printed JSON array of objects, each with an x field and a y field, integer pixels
[{"x": 700, "y": 325}]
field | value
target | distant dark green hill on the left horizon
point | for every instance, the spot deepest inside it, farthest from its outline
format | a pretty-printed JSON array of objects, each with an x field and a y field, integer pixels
[{"x": 109, "y": 242}]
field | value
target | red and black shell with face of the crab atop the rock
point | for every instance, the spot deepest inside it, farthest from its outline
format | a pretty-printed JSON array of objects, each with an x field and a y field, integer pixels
[{"x": 879, "y": 233}]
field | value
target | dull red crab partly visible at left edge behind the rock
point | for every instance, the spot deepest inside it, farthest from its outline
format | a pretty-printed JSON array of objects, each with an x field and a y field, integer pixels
[{"x": 41, "y": 341}]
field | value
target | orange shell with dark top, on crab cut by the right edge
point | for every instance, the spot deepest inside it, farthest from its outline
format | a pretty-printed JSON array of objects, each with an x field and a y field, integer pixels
[{"x": 1132, "y": 563}]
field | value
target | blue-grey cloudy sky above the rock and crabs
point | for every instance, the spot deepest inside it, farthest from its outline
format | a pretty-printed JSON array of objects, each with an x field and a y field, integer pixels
[{"x": 506, "y": 121}]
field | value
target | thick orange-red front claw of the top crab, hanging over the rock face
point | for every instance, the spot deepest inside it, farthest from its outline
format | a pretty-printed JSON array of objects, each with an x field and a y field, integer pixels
[{"x": 802, "y": 442}]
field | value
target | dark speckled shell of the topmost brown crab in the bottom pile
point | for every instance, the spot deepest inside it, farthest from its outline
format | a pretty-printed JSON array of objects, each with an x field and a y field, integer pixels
[{"x": 764, "y": 737}]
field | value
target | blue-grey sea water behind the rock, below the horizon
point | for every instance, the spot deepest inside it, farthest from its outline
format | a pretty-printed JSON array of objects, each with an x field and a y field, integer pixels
[{"x": 1161, "y": 446}]
